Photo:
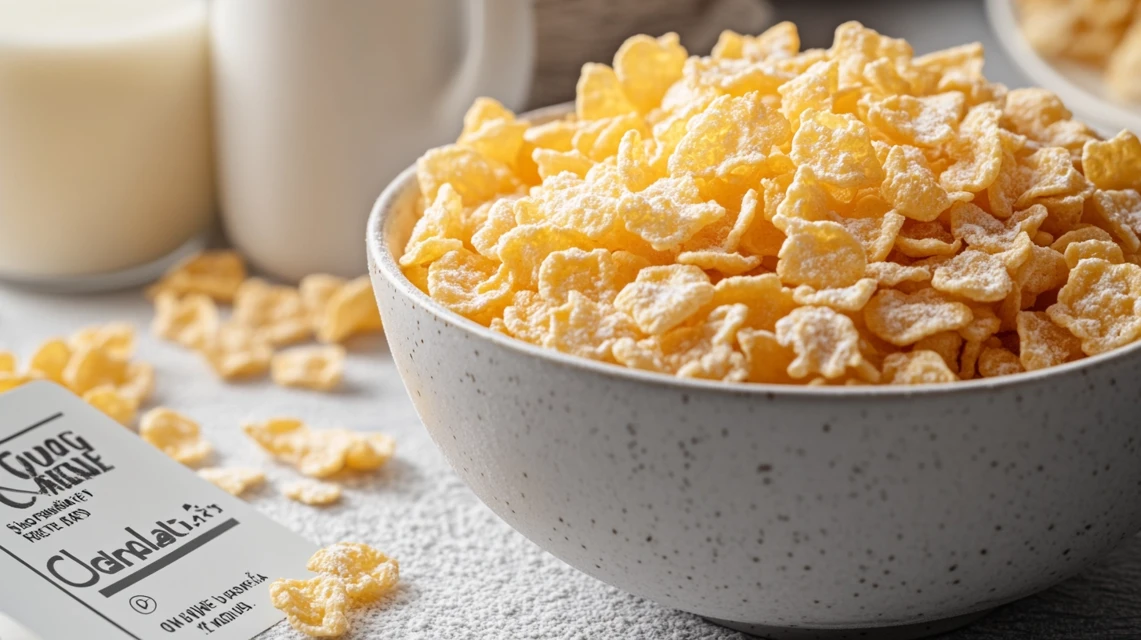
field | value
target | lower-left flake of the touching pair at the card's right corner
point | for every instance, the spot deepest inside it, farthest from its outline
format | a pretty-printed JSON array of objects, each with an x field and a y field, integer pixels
[{"x": 315, "y": 607}]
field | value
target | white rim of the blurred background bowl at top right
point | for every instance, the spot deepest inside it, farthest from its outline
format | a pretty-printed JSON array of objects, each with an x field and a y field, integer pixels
[{"x": 1080, "y": 87}]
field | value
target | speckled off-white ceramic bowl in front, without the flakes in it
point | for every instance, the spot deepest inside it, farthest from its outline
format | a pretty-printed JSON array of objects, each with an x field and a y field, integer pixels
[{"x": 783, "y": 512}]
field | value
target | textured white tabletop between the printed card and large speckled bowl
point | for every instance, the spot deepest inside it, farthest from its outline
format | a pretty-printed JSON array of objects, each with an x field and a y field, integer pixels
[{"x": 465, "y": 573}]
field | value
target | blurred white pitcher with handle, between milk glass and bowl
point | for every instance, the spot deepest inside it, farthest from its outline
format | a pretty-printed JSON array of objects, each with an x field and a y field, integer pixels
[{"x": 320, "y": 103}]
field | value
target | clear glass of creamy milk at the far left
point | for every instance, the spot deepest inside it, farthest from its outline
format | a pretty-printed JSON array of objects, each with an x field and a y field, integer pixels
[{"x": 106, "y": 140}]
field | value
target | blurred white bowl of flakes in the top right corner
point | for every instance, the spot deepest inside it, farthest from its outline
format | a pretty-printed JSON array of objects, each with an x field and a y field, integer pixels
[{"x": 1087, "y": 52}]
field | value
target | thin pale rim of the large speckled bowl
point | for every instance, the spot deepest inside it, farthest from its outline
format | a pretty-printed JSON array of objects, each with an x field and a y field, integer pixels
[{"x": 386, "y": 264}]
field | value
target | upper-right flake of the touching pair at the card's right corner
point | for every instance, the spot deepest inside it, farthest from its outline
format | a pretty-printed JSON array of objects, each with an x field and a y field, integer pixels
[{"x": 367, "y": 573}]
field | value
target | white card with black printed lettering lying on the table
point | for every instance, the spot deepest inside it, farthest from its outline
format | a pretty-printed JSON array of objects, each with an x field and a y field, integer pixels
[{"x": 103, "y": 537}]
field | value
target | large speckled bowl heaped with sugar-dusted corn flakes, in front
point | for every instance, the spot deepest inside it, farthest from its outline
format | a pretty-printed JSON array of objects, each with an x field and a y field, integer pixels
[{"x": 813, "y": 344}]
